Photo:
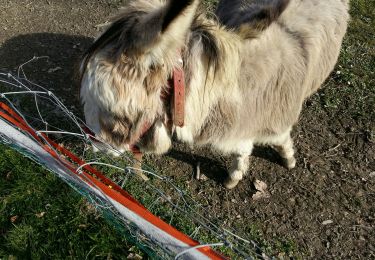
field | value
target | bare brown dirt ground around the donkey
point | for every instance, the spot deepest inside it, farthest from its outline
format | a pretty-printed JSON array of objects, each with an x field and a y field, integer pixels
[{"x": 325, "y": 205}]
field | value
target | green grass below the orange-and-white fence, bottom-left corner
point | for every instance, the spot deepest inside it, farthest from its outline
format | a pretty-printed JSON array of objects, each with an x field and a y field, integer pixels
[{"x": 41, "y": 217}]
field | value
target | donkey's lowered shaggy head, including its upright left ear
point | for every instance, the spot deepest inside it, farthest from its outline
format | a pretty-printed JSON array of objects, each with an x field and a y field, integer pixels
[{"x": 127, "y": 68}]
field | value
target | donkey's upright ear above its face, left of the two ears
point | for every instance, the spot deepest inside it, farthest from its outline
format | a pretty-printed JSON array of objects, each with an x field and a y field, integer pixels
[{"x": 161, "y": 30}]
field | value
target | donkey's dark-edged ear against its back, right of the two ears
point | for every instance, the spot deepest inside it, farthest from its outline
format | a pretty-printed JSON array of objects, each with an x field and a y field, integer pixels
[{"x": 253, "y": 18}]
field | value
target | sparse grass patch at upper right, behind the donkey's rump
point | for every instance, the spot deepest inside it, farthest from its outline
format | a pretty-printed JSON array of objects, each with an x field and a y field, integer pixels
[{"x": 351, "y": 88}]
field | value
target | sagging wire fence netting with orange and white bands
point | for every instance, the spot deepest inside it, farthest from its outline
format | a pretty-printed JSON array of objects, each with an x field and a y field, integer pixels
[{"x": 160, "y": 217}]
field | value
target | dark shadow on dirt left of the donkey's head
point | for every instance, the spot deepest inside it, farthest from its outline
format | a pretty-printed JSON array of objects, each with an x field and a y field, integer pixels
[{"x": 57, "y": 67}]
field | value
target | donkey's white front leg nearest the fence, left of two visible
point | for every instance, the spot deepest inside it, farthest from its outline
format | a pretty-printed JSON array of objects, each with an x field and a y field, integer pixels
[{"x": 239, "y": 167}]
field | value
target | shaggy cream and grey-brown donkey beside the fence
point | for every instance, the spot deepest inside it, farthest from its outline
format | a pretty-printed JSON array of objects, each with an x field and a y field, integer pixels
[{"x": 247, "y": 73}]
